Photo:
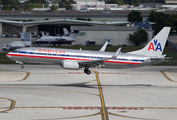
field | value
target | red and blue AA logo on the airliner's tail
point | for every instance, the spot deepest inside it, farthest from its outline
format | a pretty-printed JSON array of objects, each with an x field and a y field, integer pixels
[{"x": 155, "y": 46}]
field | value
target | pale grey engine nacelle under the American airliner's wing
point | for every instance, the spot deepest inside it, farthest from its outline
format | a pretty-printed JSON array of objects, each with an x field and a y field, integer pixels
[{"x": 70, "y": 64}]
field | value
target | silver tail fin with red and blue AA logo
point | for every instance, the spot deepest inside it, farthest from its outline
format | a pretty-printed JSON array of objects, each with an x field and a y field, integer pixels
[{"x": 156, "y": 46}]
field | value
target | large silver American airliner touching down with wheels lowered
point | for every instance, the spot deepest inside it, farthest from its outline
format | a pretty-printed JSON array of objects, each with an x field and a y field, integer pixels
[{"x": 75, "y": 59}]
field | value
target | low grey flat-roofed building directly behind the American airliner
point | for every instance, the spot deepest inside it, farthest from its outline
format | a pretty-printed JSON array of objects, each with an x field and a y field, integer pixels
[{"x": 115, "y": 35}]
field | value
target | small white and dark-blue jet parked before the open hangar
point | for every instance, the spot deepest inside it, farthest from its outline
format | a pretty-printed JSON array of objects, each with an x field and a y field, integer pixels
[{"x": 66, "y": 38}]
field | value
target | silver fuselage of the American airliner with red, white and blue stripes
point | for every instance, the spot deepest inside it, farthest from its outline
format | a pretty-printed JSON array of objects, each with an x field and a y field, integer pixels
[{"x": 56, "y": 56}]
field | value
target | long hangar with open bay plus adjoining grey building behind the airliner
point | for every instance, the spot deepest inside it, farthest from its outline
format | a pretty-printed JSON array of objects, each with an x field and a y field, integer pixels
[{"x": 90, "y": 32}]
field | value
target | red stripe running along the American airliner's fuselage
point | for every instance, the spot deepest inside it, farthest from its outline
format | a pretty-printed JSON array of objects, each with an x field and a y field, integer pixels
[{"x": 48, "y": 57}]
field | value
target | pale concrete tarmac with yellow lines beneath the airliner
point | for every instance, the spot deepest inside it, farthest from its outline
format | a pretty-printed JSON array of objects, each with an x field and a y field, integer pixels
[{"x": 49, "y": 92}]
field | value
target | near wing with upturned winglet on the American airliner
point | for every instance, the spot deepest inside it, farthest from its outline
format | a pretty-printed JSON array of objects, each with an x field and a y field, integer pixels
[{"x": 100, "y": 62}]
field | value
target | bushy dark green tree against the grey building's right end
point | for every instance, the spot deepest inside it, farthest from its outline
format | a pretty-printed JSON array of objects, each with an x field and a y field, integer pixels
[{"x": 138, "y": 37}]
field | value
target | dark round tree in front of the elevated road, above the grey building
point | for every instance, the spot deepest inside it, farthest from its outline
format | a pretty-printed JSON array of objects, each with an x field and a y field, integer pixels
[{"x": 134, "y": 16}]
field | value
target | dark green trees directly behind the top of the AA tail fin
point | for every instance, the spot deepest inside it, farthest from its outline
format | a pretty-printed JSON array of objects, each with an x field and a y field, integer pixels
[{"x": 160, "y": 19}]
